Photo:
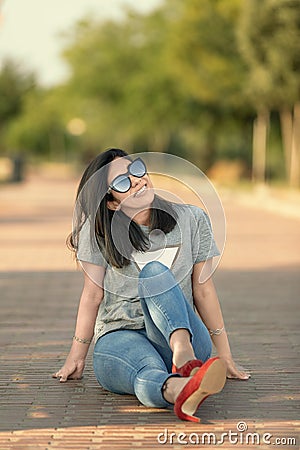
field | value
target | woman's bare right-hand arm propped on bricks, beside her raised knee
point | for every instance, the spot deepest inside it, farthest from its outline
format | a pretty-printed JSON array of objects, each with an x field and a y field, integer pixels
[{"x": 208, "y": 306}]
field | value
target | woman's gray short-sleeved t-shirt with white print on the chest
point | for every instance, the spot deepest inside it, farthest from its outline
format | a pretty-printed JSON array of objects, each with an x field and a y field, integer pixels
[{"x": 190, "y": 242}]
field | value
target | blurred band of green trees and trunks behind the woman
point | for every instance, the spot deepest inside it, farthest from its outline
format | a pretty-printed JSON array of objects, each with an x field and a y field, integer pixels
[{"x": 216, "y": 82}]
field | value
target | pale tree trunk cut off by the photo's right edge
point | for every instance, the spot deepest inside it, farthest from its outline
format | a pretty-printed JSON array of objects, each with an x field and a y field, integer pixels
[{"x": 295, "y": 151}]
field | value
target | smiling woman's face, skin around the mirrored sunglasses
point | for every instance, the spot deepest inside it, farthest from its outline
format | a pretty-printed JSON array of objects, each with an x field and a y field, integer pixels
[{"x": 140, "y": 195}]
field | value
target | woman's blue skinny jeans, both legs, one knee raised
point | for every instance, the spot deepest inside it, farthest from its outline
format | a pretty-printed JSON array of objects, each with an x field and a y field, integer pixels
[{"x": 139, "y": 362}]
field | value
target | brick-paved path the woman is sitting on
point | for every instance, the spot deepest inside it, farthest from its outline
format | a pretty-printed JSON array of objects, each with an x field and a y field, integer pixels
[{"x": 258, "y": 284}]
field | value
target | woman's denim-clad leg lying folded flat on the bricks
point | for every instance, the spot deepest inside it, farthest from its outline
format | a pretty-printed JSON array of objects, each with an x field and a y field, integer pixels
[{"x": 125, "y": 362}]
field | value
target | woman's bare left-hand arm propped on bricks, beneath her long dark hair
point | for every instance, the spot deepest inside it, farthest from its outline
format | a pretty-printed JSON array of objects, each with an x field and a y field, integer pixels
[{"x": 91, "y": 297}]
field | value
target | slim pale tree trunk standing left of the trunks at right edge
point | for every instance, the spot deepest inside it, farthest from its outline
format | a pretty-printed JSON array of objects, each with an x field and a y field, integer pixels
[{"x": 260, "y": 135}]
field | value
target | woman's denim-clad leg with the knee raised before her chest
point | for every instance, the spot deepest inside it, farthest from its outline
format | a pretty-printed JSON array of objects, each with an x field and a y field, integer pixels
[{"x": 166, "y": 310}]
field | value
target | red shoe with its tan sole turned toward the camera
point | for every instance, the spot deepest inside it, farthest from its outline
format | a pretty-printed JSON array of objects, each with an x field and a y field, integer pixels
[{"x": 208, "y": 380}]
